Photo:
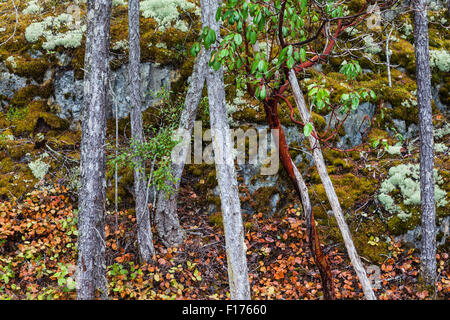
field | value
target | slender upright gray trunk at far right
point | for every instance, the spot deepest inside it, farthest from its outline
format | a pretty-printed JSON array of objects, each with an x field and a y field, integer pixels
[{"x": 423, "y": 75}]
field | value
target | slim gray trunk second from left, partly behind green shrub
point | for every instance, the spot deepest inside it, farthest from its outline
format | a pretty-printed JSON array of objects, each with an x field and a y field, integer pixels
[{"x": 144, "y": 232}]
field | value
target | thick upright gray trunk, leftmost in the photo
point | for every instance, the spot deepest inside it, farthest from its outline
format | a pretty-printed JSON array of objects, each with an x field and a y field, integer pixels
[{"x": 91, "y": 266}]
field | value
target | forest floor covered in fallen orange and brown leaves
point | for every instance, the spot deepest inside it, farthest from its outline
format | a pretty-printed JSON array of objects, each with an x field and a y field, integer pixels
[{"x": 38, "y": 255}]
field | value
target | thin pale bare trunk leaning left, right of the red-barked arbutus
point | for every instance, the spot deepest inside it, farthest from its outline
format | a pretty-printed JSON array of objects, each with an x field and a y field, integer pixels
[{"x": 331, "y": 194}]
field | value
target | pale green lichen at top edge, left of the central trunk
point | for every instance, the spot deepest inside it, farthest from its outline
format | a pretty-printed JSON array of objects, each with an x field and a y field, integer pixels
[{"x": 166, "y": 13}]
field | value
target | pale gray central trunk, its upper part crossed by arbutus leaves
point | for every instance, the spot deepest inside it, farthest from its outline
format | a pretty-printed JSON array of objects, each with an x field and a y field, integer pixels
[{"x": 225, "y": 171}]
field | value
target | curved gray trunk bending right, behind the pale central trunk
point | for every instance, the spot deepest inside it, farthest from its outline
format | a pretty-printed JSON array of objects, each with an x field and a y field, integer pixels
[{"x": 166, "y": 216}]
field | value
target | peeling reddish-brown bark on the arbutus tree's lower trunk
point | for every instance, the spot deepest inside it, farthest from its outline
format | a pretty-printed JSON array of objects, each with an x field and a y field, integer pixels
[{"x": 313, "y": 237}]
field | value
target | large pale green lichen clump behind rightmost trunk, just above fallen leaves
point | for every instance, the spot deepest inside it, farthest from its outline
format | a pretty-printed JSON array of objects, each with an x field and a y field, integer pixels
[{"x": 405, "y": 178}]
